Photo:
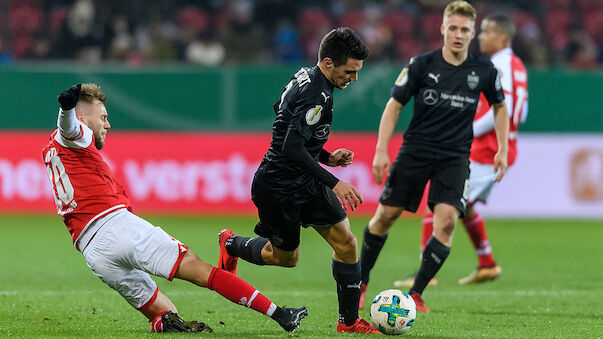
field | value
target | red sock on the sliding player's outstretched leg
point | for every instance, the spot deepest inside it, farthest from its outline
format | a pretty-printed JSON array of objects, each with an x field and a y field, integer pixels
[{"x": 239, "y": 291}]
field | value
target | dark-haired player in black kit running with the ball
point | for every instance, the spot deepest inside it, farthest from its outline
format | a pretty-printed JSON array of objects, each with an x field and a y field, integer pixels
[{"x": 290, "y": 188}]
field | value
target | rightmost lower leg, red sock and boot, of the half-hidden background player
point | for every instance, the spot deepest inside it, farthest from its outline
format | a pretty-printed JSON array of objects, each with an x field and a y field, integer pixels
[{"x": 487, "y": 269}]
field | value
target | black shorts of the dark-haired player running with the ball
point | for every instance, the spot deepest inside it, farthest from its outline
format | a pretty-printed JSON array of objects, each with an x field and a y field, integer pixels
[{"x": 281, "y": 217}]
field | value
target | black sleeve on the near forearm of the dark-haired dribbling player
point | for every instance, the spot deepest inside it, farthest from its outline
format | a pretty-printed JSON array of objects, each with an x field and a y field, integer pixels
[{"x": 294, "y": 149}]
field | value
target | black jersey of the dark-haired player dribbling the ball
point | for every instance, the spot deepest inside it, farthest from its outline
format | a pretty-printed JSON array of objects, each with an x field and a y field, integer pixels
[{"x": 305, "y": 106}]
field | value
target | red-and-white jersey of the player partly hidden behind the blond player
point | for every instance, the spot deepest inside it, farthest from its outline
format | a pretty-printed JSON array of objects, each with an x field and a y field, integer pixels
[{"x": 514, "y": 80}]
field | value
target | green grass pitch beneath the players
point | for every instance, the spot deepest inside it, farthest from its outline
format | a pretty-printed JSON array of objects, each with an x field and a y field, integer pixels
[{"x": 552, "y": 283}]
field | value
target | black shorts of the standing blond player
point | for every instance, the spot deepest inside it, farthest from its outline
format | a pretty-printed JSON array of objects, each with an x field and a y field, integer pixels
[{"x": 410, "y": 173}]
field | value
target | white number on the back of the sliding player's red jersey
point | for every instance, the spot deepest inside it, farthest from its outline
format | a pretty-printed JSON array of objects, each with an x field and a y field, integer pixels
[{"x": 61, "y": 185}]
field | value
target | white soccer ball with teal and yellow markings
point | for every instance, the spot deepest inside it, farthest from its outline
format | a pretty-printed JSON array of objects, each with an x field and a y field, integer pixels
[{"x": 393, "y": 312}]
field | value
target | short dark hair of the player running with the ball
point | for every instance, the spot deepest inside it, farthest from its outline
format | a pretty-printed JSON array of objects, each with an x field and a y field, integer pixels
[{"x": 341, "y": 44}]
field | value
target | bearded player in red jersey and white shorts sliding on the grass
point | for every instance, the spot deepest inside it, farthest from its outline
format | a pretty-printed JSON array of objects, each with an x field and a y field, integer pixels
[{"x": 121, "y": 248}]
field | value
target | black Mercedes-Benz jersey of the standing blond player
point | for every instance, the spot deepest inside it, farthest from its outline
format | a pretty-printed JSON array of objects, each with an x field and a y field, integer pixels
[{"x": 446, "y": 98}]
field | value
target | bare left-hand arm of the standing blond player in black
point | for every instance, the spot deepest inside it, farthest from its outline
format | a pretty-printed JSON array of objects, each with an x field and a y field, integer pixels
[{"x": 389, "y": 120}]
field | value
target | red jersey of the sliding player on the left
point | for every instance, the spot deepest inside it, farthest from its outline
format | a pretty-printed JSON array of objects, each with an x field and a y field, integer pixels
[{"x": 84, "y": 187}]
